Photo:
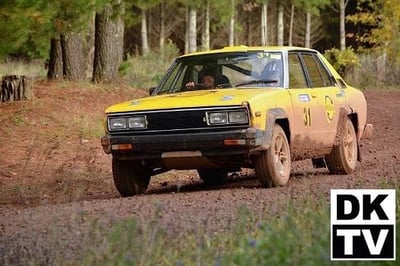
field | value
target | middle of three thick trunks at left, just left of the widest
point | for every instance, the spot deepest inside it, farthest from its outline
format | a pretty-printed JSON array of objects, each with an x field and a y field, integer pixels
[{"x": 74, "y": 59}]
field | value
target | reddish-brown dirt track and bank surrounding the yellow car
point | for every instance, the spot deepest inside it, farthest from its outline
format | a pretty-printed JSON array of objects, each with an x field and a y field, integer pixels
[{"x": 54, "y": 174}]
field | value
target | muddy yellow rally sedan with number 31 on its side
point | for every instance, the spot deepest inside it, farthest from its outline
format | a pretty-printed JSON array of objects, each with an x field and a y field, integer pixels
[{"x": 238, "y": 107}]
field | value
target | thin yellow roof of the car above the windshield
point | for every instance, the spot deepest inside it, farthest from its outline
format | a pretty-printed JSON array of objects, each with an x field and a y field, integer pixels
[{"x": 244, "y": 48}]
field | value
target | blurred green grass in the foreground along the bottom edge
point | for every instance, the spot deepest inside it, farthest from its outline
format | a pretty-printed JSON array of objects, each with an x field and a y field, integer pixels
[{"x": 300, "y": 235}]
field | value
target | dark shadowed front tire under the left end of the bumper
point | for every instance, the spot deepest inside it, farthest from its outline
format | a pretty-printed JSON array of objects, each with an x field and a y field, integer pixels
[{"x": 130, "y": 178}]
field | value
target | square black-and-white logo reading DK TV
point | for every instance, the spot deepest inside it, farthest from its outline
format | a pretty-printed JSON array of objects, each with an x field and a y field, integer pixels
[{"x": 363, "y": 224}]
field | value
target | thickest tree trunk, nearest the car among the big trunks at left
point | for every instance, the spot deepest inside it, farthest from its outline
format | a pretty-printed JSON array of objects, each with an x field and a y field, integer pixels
[{"x": 108, "y": 45}]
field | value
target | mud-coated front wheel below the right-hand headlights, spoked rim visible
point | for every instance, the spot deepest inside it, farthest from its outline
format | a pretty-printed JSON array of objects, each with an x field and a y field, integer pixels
[{"x": 272, "y": 167}]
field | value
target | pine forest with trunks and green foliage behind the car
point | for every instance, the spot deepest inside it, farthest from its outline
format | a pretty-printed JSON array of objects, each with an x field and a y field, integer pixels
[{"x": 135, "y": 40}]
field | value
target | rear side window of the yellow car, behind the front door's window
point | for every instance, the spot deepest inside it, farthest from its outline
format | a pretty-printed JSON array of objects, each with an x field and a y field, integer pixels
[{"x": 319, "y": 76}]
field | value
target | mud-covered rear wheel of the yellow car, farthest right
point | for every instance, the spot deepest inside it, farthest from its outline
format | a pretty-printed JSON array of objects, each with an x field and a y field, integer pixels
[{"x": 343, "y": 158}]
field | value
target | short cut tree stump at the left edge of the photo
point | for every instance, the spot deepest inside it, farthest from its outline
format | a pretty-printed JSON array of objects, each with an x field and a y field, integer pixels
[{"x": 16, "y": 88}]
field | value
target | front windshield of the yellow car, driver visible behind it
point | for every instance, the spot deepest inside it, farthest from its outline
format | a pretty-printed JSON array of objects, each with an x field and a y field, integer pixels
[{"x": 223, "y": 70}]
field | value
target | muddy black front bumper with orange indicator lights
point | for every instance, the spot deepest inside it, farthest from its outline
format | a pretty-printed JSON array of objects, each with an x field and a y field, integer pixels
[{"x": 236, "y": 141}]
